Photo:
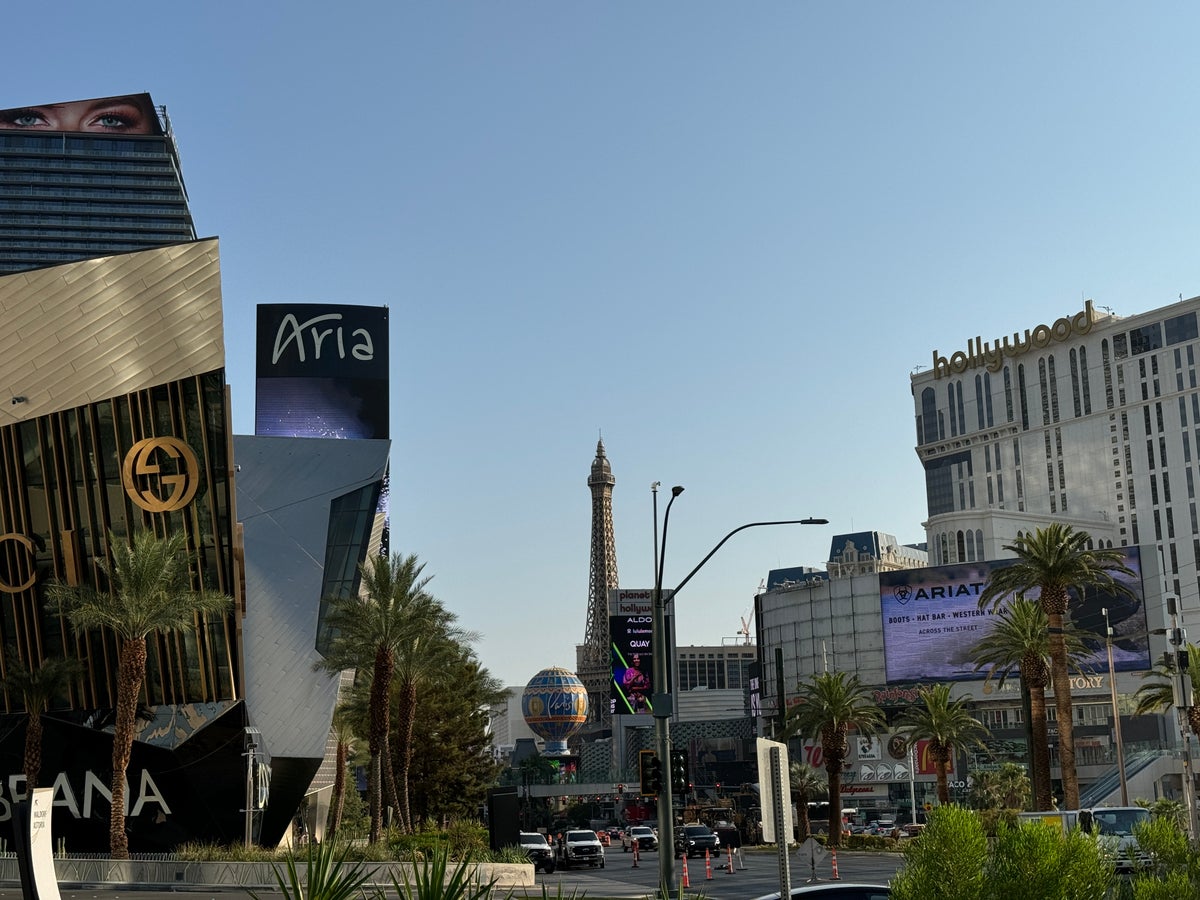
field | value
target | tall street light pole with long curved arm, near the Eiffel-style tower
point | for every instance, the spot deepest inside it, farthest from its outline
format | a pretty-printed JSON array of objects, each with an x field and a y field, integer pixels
[{"x": 663, "y": 699}]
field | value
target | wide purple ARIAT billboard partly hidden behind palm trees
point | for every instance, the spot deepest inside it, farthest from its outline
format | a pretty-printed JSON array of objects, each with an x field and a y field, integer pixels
[{"x": 932, "y": 621}]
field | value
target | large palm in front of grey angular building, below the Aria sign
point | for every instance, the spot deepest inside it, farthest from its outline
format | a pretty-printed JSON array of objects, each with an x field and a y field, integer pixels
[{"x": 391, "y": 617}]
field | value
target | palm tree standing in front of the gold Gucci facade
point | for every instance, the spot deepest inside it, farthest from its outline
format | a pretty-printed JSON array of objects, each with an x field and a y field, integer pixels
[{"x": 151, "y": 592}]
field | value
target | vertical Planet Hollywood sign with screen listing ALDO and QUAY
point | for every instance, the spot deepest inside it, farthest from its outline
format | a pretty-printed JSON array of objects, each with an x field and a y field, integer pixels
[{"x": 631, "y": 631}]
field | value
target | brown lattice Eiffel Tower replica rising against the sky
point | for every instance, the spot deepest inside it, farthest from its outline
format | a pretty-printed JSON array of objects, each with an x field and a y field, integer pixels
[{"x": 593, "y": 656}]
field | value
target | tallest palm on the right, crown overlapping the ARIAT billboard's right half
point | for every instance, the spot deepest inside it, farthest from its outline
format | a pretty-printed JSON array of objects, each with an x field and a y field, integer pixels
[{"x": 1052, "y": 562}]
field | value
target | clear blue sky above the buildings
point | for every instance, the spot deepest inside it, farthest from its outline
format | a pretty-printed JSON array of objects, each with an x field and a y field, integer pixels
[{"x": 719, "y": 235}]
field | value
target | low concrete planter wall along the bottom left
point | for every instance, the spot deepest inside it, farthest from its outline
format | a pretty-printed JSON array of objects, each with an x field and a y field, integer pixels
[{"x": 109, "y": 873}]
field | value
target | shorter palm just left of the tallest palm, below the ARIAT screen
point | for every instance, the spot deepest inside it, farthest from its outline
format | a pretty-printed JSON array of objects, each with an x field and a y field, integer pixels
[{"x": 1021, "y": 643}]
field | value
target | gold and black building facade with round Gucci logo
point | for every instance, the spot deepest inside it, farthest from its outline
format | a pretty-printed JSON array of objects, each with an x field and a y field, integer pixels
[{"x": 117, "y": 419}]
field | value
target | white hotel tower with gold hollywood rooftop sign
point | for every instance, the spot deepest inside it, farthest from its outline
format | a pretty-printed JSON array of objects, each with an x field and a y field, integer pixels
[{"x": 1089, "y": 418}]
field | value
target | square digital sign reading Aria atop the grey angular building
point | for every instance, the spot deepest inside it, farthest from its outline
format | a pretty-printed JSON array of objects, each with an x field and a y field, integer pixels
[{"x": 322, "y": 371}]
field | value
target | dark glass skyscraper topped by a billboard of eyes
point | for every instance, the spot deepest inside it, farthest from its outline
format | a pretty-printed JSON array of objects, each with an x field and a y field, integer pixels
[{"x": 83, "y": 188}]
